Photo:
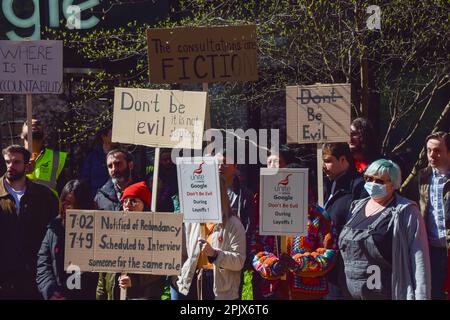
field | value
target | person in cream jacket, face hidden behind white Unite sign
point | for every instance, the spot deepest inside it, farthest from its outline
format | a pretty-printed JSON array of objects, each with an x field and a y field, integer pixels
[{"x": 215, "y": 260}]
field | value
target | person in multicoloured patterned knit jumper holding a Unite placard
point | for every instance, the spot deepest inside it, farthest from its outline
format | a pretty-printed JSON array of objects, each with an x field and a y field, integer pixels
[{"x": 305, "y": 263}]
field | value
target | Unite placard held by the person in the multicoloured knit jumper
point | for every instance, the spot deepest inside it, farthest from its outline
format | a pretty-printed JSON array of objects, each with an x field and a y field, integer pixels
[{"x": 284, "y": 202}]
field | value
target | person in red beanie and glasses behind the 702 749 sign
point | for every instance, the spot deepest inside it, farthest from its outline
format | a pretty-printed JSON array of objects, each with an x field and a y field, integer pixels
[{"x": 136, "y": 197}]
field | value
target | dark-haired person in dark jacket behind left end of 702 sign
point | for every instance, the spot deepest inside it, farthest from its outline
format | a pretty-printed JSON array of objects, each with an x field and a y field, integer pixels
[{"x": 53, "y": 282}]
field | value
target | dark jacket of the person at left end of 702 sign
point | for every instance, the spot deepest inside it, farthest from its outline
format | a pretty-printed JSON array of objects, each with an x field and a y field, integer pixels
[{"x": 51, "y": 276}]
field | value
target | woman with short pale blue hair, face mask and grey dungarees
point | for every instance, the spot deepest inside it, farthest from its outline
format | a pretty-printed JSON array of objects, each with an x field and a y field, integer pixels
[{"x": 384, "y": 244}]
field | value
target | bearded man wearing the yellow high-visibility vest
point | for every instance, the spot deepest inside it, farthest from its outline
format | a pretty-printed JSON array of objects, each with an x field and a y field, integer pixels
[{"x": 48, "y": 163}]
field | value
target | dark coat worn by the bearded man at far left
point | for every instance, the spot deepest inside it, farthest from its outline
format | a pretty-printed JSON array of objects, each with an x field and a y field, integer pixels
[{"x": 21, "y": 237}]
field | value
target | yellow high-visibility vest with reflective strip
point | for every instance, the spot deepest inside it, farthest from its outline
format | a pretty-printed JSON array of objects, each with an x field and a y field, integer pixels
[{"x": 48, "y": 167}]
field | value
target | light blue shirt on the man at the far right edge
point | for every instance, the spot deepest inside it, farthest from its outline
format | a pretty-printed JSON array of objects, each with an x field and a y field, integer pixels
[{"x": 436, "y": 214}]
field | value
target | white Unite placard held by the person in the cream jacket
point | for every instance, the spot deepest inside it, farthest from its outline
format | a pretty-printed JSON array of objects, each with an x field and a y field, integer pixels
[{"x": 199, "y": 189}]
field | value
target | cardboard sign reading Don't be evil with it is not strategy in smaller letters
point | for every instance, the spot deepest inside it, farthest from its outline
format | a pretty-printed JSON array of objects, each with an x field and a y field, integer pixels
[{"x": 159, "y": 118}]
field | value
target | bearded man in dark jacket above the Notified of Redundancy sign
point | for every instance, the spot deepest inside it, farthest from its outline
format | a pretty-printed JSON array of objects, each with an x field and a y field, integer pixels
[{"x": 119, "y": 163}]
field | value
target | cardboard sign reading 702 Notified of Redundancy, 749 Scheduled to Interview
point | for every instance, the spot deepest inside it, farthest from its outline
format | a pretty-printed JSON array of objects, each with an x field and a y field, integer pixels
[{"x": 135, "y": 242}]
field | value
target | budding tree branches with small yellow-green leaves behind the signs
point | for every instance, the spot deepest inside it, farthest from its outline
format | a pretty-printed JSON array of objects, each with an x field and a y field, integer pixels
[{"x": 299, "y": 42}]
